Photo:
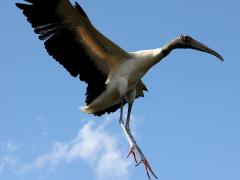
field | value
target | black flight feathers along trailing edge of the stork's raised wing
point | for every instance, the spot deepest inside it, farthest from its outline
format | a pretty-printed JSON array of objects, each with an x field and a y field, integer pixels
[{"x": 61, "y": 45}]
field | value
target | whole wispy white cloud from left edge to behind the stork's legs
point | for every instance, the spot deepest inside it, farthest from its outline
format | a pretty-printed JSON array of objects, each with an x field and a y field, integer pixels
[{"x": 94, "y": 144}]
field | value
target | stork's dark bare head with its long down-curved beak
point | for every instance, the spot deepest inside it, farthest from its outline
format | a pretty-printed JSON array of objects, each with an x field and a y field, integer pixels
[{"x": 189, "y": 42}]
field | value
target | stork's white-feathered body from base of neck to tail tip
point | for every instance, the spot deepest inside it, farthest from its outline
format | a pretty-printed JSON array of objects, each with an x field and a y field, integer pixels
[{"x": 123, "y": 81}]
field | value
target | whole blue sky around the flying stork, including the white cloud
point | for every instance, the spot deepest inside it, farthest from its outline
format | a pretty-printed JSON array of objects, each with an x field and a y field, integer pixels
[{"x": 188, "y": 124}]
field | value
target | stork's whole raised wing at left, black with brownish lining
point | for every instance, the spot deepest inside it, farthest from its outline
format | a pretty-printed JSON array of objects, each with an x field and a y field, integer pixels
[{"x": 73, "y": 41}]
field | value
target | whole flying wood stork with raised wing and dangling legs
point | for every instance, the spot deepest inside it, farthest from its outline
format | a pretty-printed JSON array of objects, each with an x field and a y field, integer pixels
[{"x": 112, "y": 74}]
